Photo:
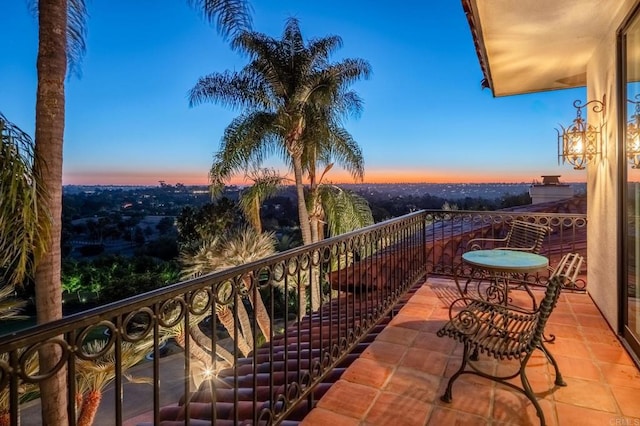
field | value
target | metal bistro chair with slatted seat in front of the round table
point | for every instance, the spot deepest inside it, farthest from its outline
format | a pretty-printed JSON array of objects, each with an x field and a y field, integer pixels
[{"x": 503, "y": 332}]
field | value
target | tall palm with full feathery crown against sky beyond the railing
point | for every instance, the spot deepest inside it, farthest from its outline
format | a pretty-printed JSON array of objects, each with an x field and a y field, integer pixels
[{"x": 280, "y": 92}]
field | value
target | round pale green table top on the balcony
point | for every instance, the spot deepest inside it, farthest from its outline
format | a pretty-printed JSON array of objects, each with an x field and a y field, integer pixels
[{"x": 506, "y": 260}]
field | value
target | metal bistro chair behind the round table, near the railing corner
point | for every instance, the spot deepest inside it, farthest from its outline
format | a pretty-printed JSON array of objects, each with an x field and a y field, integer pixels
[{"x": 522, "y": 236}]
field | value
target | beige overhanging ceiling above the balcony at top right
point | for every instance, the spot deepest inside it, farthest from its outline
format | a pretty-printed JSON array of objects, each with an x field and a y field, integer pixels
[{"x": 529, "y": 46}]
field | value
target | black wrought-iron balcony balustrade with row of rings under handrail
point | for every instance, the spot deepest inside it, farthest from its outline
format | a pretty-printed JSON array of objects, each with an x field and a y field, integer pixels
[{"x": 245, "y": 366}]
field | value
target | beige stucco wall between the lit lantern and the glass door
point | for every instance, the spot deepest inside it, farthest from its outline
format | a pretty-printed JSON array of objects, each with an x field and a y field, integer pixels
[{"x": 602, "y": 187}]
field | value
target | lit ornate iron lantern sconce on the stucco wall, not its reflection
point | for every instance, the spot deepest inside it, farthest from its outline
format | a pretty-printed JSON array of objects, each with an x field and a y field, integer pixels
[{"x": 580, "y": 143}]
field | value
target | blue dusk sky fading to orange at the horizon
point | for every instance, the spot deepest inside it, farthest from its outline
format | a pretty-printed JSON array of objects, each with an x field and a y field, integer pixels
[{"x": 425, "y": 117}]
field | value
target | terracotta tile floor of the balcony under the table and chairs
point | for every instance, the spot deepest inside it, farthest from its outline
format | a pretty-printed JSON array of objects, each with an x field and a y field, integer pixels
[{"x": 398, "y": 380}]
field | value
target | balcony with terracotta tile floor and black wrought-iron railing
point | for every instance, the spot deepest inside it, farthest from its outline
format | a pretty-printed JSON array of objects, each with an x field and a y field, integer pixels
[{"x": 368, "y": 353}]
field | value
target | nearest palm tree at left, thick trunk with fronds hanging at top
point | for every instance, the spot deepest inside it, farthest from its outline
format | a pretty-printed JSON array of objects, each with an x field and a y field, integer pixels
[{"x": 61, "y": 26}]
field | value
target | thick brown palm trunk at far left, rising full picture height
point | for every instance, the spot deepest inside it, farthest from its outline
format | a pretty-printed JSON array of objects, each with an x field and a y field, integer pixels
[{"x": 50, "y": 120}]
